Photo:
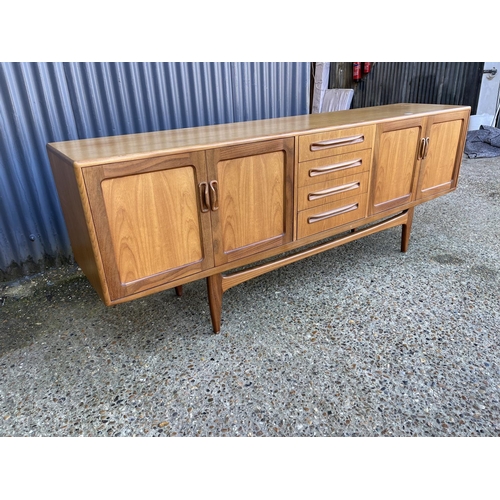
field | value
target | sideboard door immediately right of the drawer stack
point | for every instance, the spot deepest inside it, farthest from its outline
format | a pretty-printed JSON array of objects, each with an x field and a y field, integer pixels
[{"x": 396, "y": 164}]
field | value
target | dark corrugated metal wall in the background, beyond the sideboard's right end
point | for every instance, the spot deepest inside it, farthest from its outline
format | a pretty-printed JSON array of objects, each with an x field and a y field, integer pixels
[{"x": 425, "y": 82}]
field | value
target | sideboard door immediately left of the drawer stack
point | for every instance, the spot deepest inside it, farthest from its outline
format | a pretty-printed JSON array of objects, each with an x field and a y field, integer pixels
[{"x": 252, "y": 197}]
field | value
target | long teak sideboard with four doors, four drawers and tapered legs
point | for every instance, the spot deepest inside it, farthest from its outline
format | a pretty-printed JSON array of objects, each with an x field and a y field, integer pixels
[{"x": 152, "y": 211}]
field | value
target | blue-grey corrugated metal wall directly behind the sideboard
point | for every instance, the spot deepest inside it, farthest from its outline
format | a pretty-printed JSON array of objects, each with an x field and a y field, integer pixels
[{"x": 47, "y": 102}]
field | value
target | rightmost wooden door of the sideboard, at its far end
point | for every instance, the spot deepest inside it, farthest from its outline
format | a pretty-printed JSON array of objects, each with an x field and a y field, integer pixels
[{"x": 445, "y": 137}]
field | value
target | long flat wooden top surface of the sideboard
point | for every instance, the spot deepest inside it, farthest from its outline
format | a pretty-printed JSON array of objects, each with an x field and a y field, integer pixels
[{"x": 104, "y": 150}]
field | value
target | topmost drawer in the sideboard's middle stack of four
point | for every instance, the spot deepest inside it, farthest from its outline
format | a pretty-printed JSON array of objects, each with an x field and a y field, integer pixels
[{"x": 335, "y": 142}]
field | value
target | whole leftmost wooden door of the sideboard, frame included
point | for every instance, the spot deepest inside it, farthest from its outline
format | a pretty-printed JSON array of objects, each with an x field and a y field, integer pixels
[{"x": 151, "y": 222}]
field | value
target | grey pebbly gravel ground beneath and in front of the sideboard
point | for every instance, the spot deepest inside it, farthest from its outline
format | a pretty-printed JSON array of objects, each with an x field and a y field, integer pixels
[{"x": 358, "y": 341}]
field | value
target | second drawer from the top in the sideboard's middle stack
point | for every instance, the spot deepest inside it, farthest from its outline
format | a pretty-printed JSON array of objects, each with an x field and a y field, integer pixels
[{"x": 334, "y": 167}]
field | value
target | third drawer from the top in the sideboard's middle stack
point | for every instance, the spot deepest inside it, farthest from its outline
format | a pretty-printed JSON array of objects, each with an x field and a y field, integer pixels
[{"x": 330, "y": 191}]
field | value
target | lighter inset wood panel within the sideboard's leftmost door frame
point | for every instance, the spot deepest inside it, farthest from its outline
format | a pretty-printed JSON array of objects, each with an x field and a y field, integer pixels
[{"x": 143, "y": 211}]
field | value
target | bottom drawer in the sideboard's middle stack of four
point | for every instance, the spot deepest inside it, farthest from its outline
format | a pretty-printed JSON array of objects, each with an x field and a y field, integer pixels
[{"x": 324, "y": 217}]
